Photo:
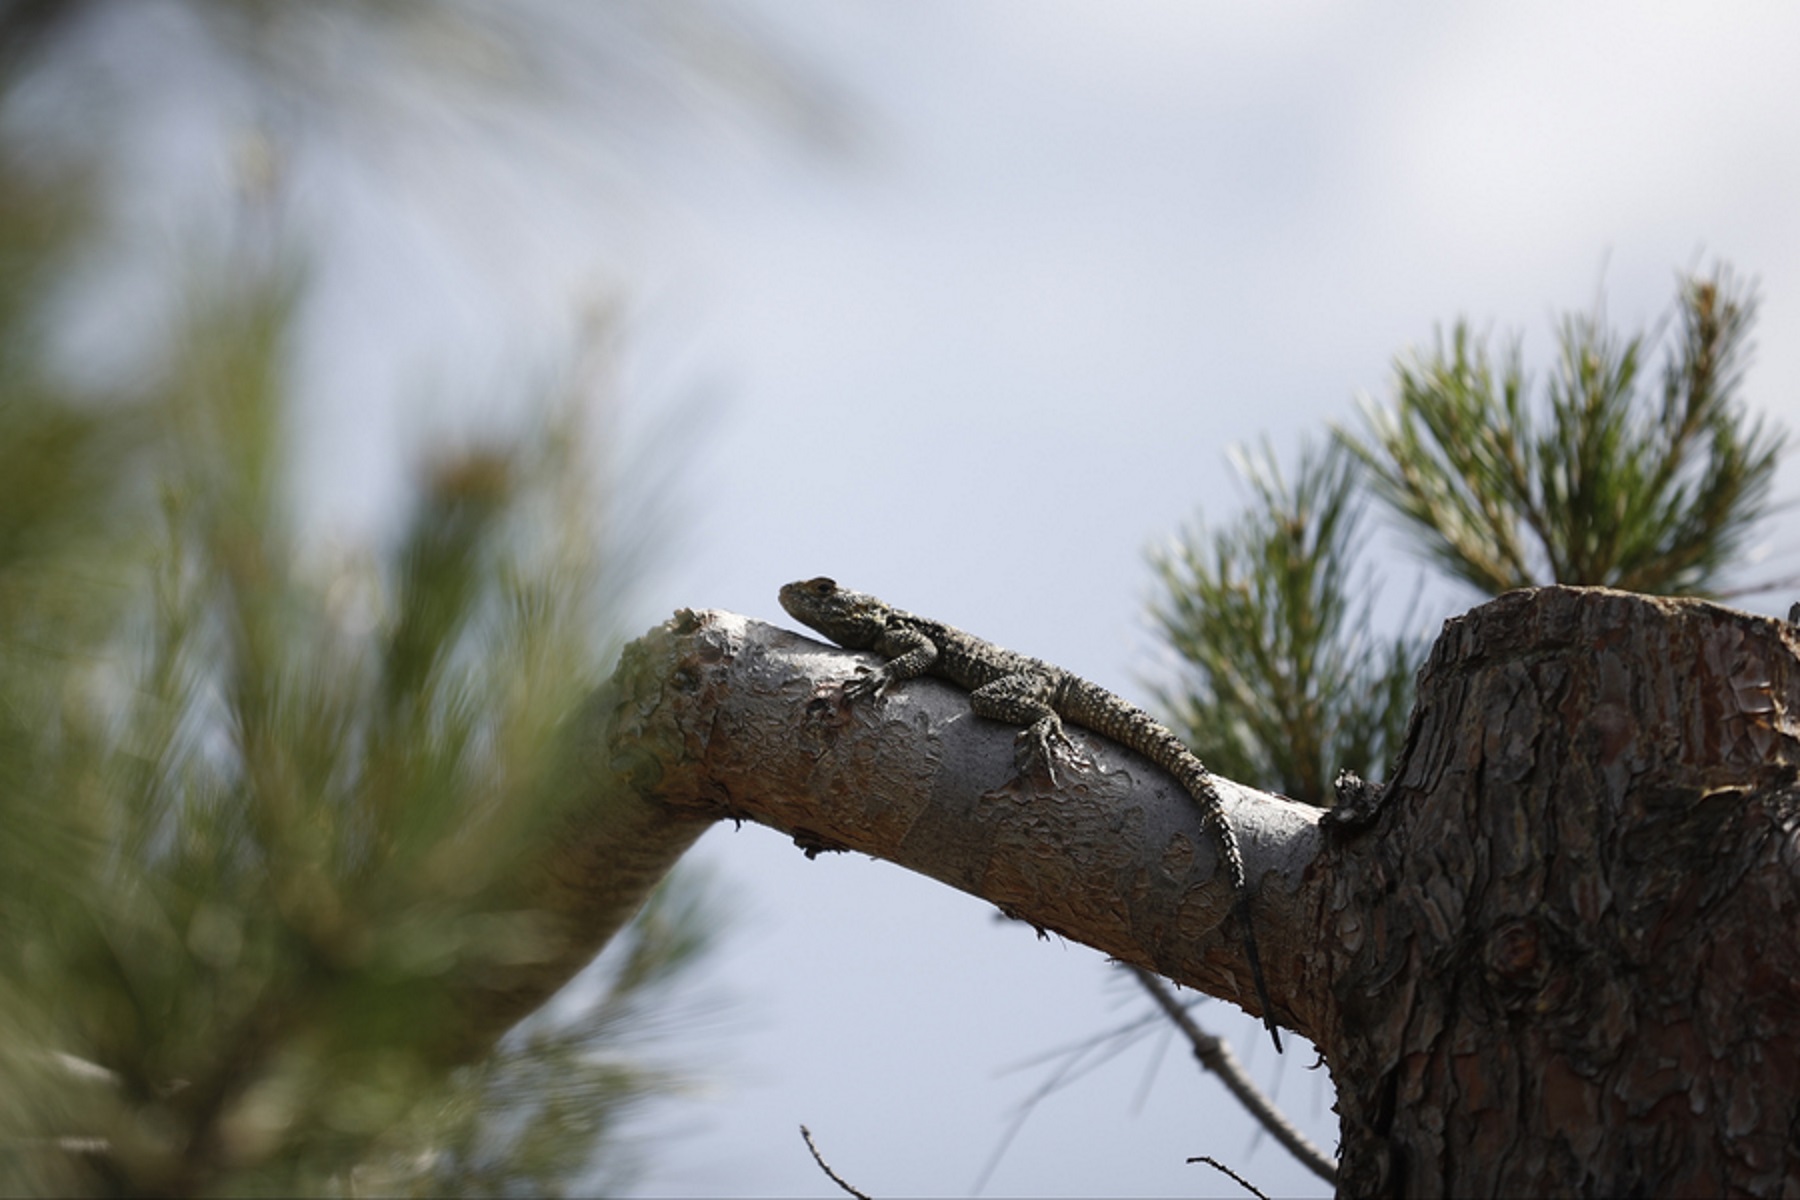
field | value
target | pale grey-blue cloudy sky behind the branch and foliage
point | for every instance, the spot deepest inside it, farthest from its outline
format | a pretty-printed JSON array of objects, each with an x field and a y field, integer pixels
[{"x": 991, "y": 361}]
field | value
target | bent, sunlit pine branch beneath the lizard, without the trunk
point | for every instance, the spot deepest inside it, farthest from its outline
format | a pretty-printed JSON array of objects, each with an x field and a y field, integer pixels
[{"x": 717, "y": 717}]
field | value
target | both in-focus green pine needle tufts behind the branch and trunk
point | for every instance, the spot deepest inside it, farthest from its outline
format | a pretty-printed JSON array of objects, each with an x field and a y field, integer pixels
[{"x": 1606, "y": 479}]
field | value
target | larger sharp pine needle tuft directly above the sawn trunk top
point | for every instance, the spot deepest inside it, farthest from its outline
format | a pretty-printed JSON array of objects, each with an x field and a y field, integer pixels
[{"x": 1621, "y": 476}]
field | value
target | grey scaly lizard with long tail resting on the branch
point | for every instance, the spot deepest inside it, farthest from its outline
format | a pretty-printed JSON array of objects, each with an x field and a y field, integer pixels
[{"x": 1025, "y": 692}]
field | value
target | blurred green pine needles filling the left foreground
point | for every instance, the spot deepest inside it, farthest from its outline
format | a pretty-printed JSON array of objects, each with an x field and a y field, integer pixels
[{"x": 264, "y": 805}]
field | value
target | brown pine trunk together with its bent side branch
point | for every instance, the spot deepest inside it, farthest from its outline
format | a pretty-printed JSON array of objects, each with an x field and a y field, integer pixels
[{"x": 1556, "y": 956}]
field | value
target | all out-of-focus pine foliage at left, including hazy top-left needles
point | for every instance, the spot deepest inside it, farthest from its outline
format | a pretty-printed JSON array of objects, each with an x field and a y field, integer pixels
[{"x": 264, "y": 803}]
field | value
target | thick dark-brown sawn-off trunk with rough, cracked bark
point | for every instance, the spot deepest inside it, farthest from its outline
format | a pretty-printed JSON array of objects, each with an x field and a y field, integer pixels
[{"x": 1567, "y": 951}]
